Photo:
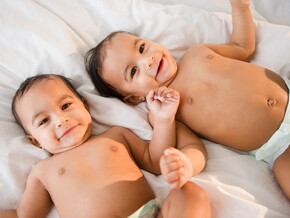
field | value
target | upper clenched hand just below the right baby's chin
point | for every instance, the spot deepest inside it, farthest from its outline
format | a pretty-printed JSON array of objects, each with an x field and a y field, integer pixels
[{"x": 163, "y": 103}]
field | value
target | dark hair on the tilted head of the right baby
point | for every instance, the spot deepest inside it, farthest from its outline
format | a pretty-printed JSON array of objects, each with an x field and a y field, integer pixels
[{"x": 94, "y": 65}]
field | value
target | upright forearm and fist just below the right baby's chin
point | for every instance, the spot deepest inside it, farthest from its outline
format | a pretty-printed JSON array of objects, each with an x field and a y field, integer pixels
[{"x": 163, "y": 104}]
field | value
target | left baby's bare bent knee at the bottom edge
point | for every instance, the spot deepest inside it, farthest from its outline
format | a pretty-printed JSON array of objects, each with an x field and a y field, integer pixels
[{"x": 190, "y": 201}]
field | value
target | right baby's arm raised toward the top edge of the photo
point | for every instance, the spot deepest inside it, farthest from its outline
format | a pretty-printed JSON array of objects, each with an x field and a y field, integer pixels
[{"x": 243, "y": 38}]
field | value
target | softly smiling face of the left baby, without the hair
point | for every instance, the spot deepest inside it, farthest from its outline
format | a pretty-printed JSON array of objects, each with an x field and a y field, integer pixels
[{"x": 53, "y": 116}]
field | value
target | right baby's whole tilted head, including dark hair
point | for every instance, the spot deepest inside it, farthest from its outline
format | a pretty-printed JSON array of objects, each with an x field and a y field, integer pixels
[{"x": 128, "y": 67}]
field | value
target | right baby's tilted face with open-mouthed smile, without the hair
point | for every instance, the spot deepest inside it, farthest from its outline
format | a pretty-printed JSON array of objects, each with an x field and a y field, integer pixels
[{"x": 135, "y": 66}]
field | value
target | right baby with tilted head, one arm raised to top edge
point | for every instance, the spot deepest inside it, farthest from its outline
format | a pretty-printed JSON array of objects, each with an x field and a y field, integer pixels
[{"x": 222, "y": 97}]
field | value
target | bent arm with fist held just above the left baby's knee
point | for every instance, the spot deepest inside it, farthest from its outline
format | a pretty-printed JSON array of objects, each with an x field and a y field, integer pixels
[{"x": 179, "y": 165}]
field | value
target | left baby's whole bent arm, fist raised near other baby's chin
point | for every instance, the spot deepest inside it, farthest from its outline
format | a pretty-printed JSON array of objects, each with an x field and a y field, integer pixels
[{"x": 163, "y": 104}]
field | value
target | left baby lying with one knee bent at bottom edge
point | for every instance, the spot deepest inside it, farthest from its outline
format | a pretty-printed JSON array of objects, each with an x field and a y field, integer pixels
[{"x": 97, "y": 176}]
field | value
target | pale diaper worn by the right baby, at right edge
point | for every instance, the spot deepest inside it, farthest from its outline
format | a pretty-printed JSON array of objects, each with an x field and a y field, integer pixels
[{"x": 279, "y": 141}]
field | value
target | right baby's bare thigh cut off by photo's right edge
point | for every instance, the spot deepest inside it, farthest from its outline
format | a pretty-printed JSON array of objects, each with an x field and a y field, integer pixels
[{"x": 281, "y": 169}]
